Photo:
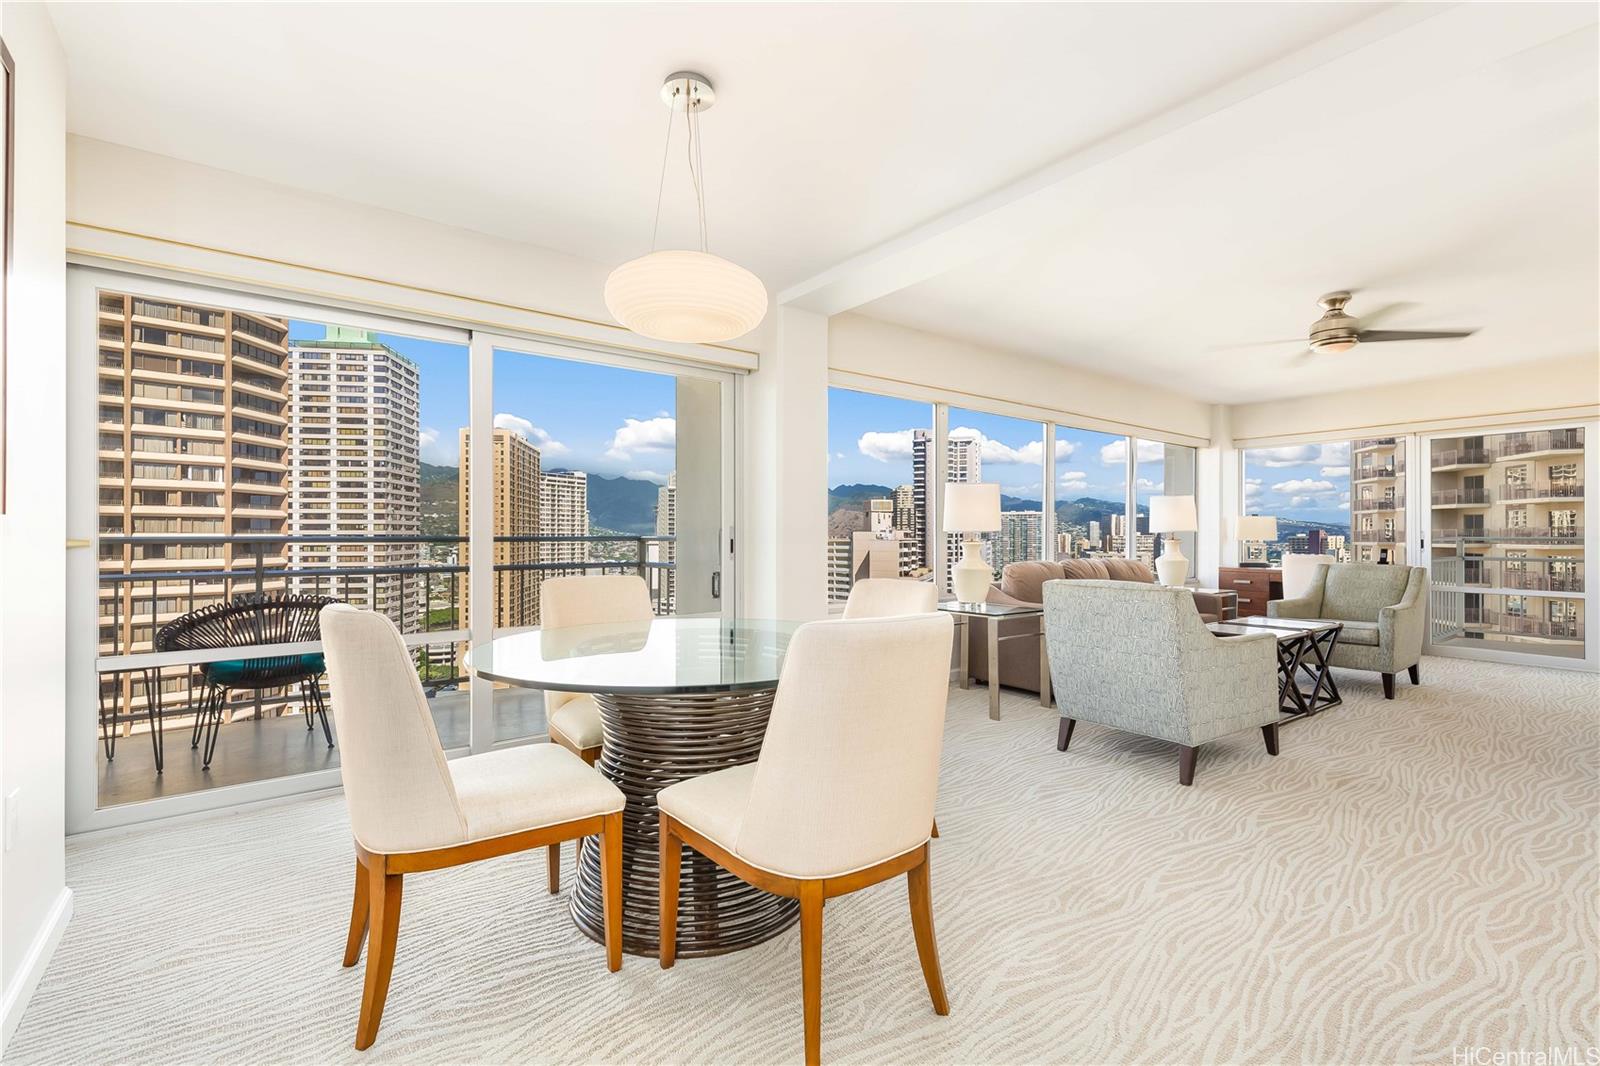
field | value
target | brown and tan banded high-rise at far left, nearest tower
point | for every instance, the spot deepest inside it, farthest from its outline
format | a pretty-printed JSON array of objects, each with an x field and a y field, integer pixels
[{"x": 191, "y": 439}]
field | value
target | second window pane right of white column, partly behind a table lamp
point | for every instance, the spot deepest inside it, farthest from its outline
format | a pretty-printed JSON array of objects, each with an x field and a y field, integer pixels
[{"x": 1009, "y": 452}]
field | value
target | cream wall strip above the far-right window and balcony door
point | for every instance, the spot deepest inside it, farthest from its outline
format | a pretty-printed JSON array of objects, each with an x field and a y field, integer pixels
[{"x": 1551, "y": 390}]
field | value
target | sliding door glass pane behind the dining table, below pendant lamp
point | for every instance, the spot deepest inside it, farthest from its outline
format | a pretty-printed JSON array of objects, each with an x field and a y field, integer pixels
[{"x": 601, "y": 470}]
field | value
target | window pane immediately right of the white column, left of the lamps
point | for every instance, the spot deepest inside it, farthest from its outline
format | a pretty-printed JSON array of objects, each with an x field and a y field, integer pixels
[{"x": 879, "y": 489}]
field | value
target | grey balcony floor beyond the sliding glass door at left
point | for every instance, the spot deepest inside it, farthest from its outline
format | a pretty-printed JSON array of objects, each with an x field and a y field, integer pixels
[{"x": 255, "y": 750}]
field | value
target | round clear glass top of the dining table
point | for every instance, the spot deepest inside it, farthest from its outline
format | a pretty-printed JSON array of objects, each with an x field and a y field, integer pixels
[{"x": 657, "y": 657}]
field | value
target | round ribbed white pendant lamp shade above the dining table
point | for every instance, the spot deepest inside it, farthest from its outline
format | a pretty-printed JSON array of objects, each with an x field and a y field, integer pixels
[{"x": 689, "y": 297}]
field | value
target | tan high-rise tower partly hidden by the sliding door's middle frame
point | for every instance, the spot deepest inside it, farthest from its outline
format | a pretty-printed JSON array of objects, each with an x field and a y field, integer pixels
[{"x": 516, "y": 486}]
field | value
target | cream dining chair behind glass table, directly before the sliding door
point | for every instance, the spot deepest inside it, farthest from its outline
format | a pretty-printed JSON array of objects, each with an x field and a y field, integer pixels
[{"x": 574, "y": 718}]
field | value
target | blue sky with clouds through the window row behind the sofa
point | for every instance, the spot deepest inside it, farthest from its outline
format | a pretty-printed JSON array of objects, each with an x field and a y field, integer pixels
[{"x": 870, "y": 443}]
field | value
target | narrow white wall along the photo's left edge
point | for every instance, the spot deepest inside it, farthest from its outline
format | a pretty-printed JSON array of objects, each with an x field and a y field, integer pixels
[{"x": 34, "y": 900}]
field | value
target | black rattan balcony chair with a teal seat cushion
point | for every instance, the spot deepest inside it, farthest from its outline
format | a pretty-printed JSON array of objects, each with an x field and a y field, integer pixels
[{"x": 241, "y": 625}]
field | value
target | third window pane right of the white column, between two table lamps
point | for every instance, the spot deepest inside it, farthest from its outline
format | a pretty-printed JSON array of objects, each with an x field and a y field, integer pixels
[{"x": 1092, "y": 494}]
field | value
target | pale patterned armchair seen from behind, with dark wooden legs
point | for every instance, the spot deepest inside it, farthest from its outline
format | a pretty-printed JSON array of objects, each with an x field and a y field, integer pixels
[{"x": 1138, "y": 659}]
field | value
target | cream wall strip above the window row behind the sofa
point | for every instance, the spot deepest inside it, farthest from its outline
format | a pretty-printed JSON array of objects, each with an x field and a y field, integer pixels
[{"x": 988, "y": 375}]
